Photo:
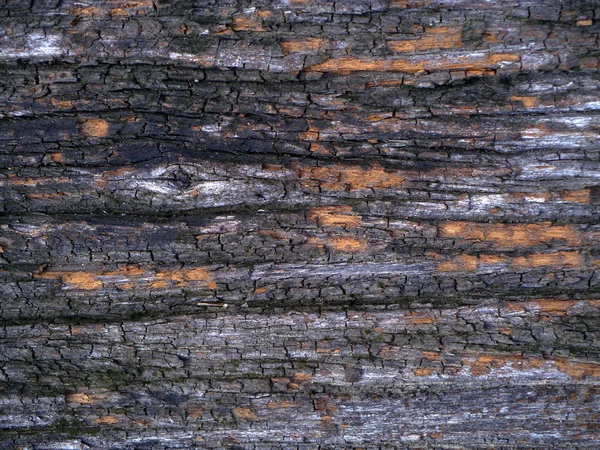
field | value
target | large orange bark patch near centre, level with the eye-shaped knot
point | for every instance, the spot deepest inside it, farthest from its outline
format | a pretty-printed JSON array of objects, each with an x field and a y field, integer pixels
[{"x": 349, "y": 178}]
